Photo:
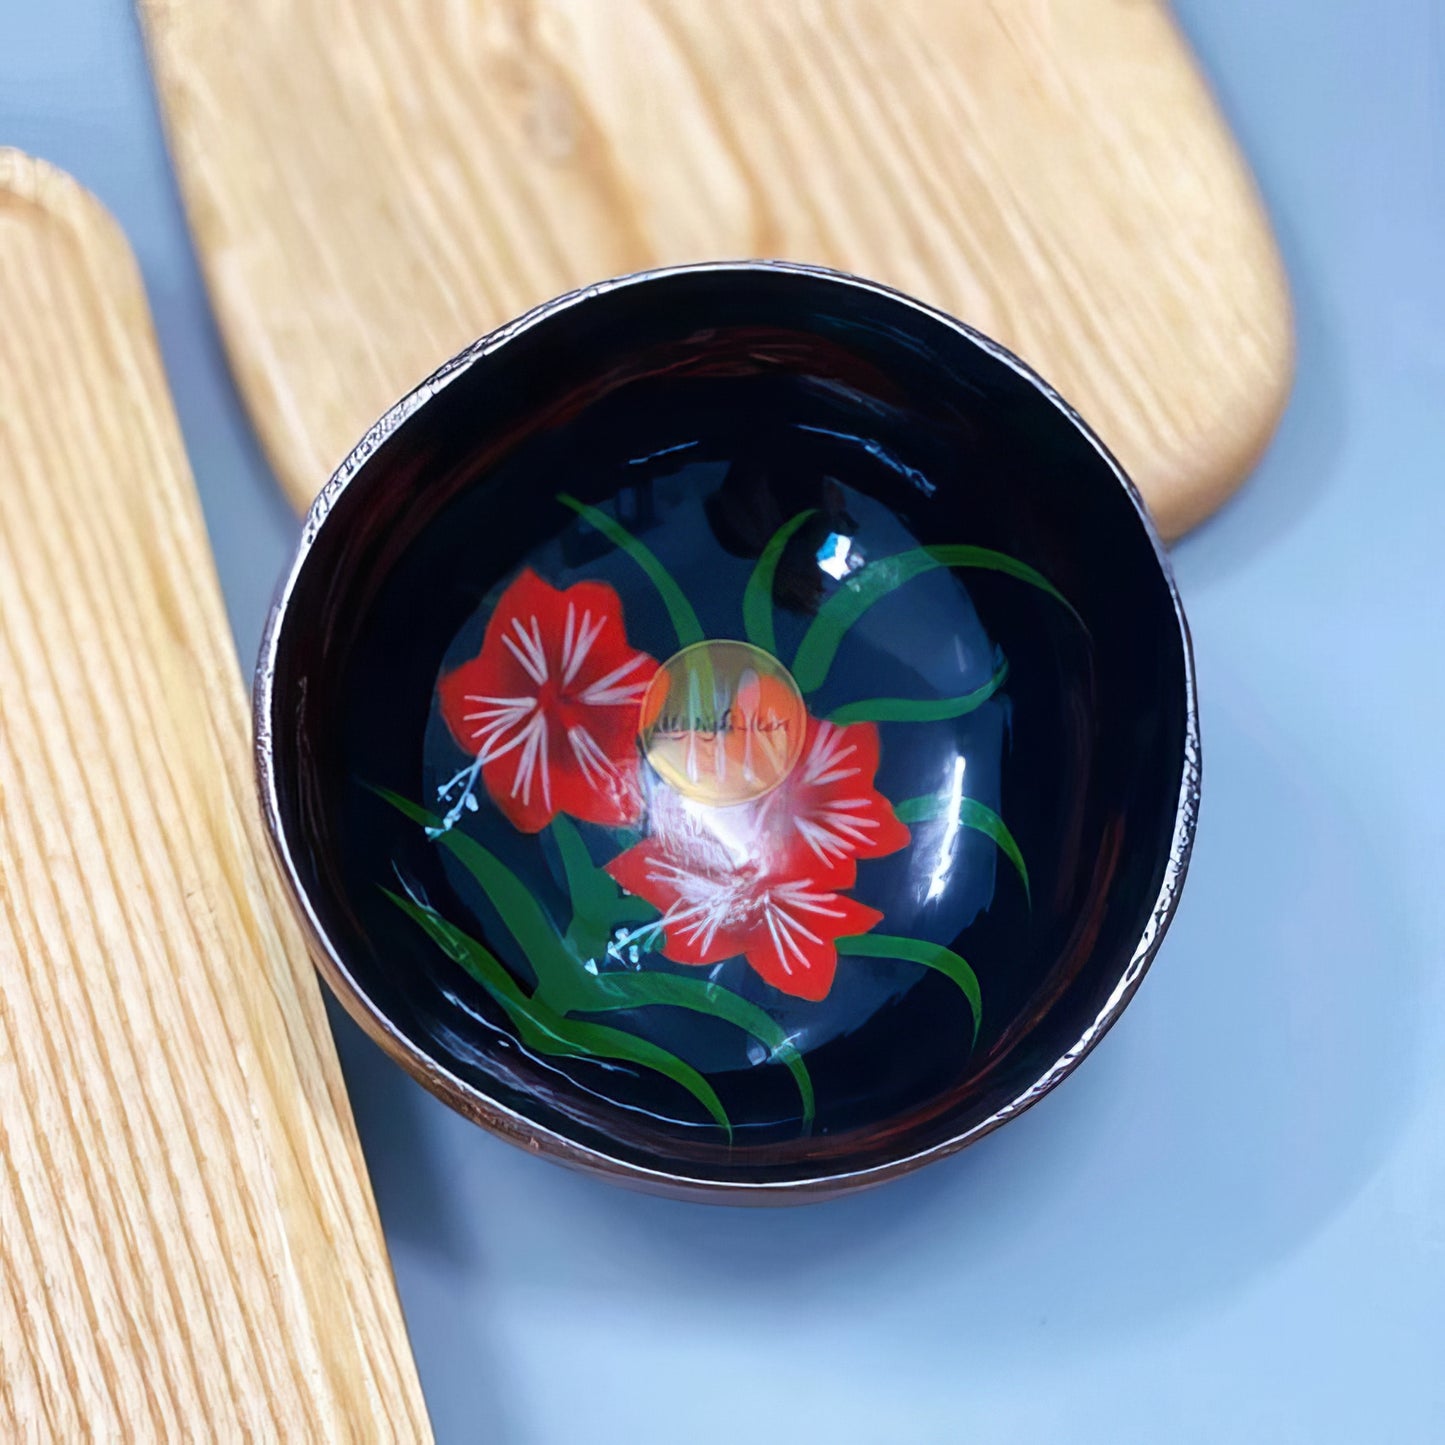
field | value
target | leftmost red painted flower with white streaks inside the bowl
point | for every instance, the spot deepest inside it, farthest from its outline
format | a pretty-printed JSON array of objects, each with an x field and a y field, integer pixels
[{"x": 550, "y": 706}]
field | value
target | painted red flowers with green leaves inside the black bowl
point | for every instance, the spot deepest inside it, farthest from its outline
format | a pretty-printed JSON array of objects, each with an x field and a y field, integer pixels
[{"x": 741, "y": 820}]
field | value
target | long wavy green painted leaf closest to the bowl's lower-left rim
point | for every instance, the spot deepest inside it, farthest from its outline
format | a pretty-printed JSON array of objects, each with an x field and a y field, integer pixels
[{"x": 544, "y": 1031}]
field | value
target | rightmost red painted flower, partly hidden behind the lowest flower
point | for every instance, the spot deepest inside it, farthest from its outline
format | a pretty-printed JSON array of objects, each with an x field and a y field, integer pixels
[{"x": 827, "y": 813}]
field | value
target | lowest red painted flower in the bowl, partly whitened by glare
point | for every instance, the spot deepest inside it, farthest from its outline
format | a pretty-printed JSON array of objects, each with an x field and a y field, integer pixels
[{"x": 720, "y": 901}]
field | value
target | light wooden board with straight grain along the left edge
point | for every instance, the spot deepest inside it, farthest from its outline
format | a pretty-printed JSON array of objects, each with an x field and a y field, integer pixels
[{"x": 189, "y": 1245}]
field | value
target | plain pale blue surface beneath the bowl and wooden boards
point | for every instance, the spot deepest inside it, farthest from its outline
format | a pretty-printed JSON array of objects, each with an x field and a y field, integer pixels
[{"x": 1232, "y": 1225}]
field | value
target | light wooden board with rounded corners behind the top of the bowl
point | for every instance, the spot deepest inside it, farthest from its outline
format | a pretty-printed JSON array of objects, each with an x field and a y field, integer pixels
[{"x": 375, "y": 183}]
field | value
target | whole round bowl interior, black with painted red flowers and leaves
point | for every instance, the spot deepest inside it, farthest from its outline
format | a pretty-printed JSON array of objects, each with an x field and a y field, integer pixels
[{"x": 960, "y": 583}]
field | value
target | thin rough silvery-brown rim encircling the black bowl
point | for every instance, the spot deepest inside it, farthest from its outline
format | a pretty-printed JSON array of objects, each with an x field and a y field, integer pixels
[{"x": 518, "y": 1128}]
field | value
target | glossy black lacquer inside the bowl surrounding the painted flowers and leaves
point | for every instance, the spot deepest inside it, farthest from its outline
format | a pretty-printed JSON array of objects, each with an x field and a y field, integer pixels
[{"x": 758, "y": 394}]
